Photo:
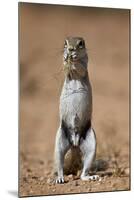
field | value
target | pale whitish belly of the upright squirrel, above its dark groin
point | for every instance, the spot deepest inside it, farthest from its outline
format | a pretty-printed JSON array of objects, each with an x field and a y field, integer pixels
[{"x": 76, "y": 102}]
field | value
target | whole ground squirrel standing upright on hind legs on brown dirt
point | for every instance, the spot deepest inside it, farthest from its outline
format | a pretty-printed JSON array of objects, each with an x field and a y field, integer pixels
[{"x": 75, "y": 134}]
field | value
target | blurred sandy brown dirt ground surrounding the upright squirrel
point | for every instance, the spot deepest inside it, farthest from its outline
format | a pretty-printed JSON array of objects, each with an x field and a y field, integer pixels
[{"x": 42, "y": 30}]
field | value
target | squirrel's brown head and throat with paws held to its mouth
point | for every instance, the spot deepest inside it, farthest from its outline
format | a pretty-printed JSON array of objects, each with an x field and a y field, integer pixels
[{"x": 75, "y": 57}]
